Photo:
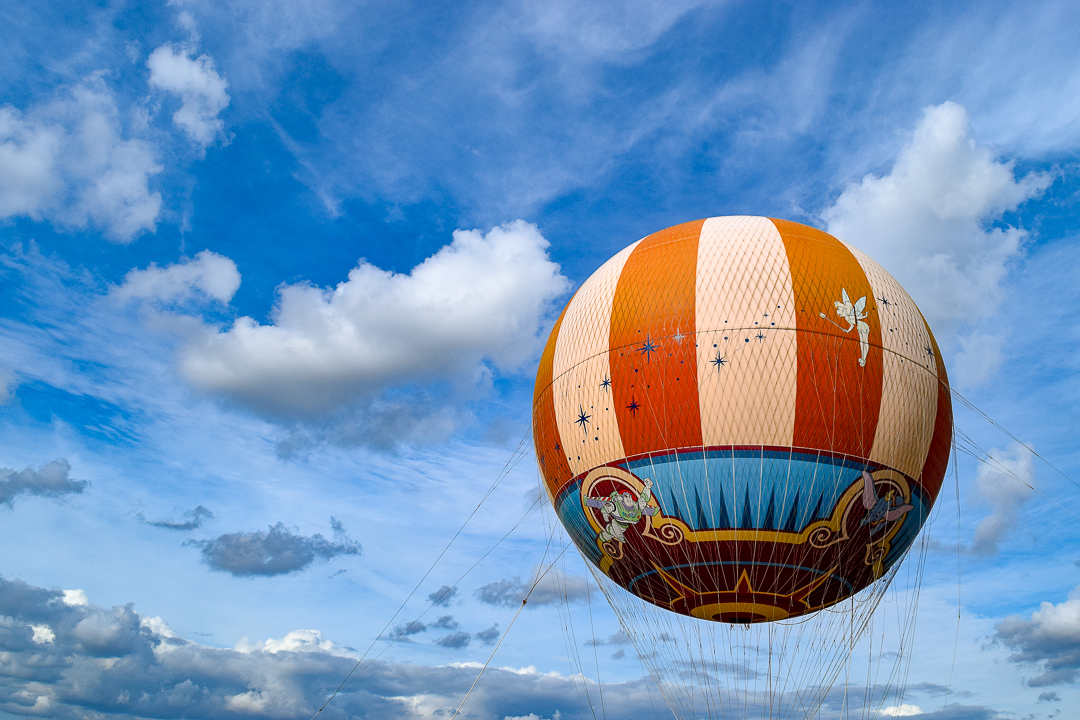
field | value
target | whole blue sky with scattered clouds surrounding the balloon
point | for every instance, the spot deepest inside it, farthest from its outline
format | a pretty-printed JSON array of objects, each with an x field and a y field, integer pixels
[{"x": 276, "y": 276}]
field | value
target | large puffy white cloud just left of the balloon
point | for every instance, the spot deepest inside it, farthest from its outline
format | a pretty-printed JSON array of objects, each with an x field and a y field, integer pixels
[{"x": 483, "y": 298}]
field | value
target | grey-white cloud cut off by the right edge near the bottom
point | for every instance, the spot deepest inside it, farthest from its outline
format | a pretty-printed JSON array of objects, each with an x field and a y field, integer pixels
[{"x": 1049, "y": 640}]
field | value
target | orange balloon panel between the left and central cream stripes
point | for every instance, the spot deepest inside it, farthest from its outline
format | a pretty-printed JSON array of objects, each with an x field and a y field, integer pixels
[{"x": 654, "y": 357}]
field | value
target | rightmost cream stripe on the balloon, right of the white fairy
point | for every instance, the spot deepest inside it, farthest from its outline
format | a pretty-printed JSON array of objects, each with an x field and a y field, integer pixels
[{"x": 910, "y": 386}]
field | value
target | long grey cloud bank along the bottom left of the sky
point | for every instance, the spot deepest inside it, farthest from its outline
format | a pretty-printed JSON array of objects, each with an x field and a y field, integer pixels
[{"x": 66, "y": 658}]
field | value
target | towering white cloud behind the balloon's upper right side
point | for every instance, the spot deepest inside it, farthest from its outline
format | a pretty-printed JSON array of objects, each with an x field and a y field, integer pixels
[{"x": 934, "y": 222}]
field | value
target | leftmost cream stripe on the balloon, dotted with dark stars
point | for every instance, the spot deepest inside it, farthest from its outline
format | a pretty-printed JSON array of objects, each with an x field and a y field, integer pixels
[{"x": 584, "y": 411}]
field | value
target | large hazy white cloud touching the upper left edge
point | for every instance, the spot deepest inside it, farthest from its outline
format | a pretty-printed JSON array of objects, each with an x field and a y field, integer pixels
[{"x": 69, "y": 162}]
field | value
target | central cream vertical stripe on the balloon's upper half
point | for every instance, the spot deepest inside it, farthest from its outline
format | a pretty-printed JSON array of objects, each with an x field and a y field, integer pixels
[{"x": 747, "y": 339}]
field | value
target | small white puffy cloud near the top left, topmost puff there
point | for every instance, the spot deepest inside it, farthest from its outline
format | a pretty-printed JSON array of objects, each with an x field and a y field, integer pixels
[{"x": 199, "y": 87}]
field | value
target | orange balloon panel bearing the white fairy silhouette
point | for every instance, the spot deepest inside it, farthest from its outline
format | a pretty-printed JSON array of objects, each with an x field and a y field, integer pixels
[{"x": 838, "y": 400}]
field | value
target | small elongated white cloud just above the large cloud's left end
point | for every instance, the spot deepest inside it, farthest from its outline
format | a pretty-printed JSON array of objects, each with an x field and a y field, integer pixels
[{"x": 208, "y": 274}]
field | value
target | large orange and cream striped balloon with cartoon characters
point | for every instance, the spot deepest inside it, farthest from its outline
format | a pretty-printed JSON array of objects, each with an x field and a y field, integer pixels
[{"x": 744, "y": 420}]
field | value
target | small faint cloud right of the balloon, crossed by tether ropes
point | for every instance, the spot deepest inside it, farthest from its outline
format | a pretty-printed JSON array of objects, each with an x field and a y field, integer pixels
[{"x": 1002, "y": 485}]
